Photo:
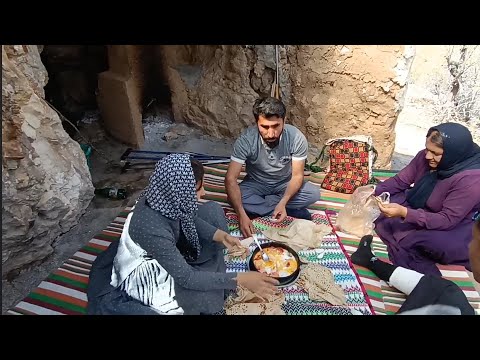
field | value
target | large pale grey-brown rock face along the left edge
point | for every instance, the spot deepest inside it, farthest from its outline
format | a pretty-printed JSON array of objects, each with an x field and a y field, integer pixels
[{"x": 46, "y": 184}]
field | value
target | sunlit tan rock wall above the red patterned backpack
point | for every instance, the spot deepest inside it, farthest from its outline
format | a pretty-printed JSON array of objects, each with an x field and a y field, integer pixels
[{"x": 345, "y": 90}]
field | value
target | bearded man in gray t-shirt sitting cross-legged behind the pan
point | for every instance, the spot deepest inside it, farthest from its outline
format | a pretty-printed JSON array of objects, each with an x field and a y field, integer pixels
[{"x": 274, "y": 156}]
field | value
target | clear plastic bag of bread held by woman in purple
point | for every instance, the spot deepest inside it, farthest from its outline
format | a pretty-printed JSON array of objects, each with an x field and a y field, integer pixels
[{"x": 359, "y": 213}]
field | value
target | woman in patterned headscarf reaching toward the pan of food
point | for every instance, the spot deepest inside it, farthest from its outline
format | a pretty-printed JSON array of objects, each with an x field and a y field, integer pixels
[{"x": 169, "y": 259}]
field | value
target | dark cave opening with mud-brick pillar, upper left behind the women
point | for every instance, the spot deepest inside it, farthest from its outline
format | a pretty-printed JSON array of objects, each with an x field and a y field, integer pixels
[{"x": 121, "y": 88}]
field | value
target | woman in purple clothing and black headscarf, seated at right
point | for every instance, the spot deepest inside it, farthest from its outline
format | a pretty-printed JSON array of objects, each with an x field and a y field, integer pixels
[{"x": 431, "y": 222}]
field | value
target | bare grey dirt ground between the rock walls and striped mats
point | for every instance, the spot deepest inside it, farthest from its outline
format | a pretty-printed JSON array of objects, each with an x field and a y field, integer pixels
[{"x": 105, "y": 170}]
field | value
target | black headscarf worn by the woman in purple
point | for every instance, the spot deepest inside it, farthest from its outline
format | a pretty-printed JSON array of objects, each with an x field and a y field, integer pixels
[{"x": 459, "y": 153}]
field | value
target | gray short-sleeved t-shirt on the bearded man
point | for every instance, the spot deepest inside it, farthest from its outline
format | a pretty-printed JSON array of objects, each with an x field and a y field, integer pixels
[{"x": 265, "y": 165}]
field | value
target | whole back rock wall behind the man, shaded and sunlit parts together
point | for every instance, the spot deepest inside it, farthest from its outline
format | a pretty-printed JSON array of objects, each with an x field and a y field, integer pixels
[{"x": 329, "y": 90}]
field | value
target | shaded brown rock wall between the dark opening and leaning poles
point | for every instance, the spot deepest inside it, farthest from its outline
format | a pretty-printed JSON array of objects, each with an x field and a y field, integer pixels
[{"x": 210, "y": 86}]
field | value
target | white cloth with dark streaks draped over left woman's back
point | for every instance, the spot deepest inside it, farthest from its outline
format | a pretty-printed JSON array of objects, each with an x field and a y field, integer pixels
[{"x": 143, "y": 279}]
